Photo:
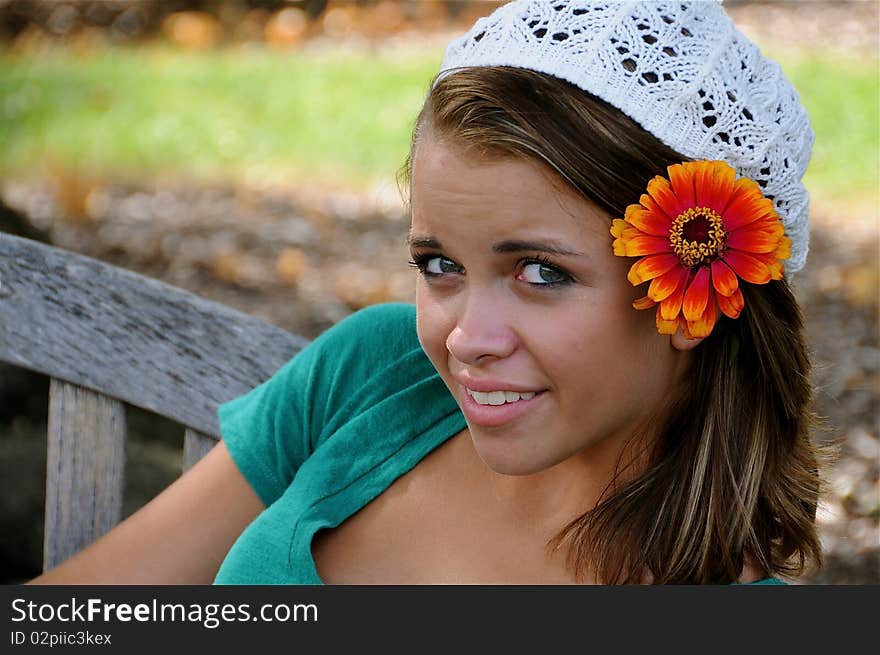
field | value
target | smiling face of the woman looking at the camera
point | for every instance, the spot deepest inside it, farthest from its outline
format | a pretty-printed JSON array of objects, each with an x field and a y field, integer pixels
[{"x": 521, "y": 301}]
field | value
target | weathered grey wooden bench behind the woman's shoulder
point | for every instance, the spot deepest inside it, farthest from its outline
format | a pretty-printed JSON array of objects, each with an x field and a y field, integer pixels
[{"x": 106, "y": 336}]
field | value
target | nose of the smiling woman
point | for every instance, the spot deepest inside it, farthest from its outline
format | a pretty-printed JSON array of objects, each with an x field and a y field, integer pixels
[{"x": 481, "y": 331}]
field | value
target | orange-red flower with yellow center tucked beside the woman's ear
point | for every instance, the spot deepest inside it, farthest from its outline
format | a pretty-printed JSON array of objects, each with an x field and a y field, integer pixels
[{"x": 696, "y": 235}]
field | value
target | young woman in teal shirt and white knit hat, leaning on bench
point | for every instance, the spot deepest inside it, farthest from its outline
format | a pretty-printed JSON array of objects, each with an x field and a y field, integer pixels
[{"x": 603, "y": 378}]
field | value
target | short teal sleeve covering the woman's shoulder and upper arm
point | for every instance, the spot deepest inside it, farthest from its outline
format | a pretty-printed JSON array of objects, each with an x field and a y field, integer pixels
[{"x": 271, "y": 430}]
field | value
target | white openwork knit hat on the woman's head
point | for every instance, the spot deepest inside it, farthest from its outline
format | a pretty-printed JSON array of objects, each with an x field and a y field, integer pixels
[{"x": 680, "y": 69}]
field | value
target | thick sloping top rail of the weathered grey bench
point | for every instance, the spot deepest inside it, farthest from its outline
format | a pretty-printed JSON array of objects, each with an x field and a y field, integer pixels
[{"x": 131, "y": 337}]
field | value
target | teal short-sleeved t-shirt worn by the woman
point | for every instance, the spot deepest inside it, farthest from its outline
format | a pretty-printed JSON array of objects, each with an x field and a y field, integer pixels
[{"x": 330, "y": 431}]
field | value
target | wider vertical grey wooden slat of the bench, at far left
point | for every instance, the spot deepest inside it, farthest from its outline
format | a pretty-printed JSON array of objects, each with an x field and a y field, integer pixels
[{"x": 85, "y": 469}]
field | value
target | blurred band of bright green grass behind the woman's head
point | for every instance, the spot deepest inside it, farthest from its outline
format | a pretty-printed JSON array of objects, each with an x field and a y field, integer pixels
[{"x": 158, "y": 112}]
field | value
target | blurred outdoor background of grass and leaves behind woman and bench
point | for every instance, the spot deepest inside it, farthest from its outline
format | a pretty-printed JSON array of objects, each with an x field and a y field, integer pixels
[{"x": 247, "y": 150}]
